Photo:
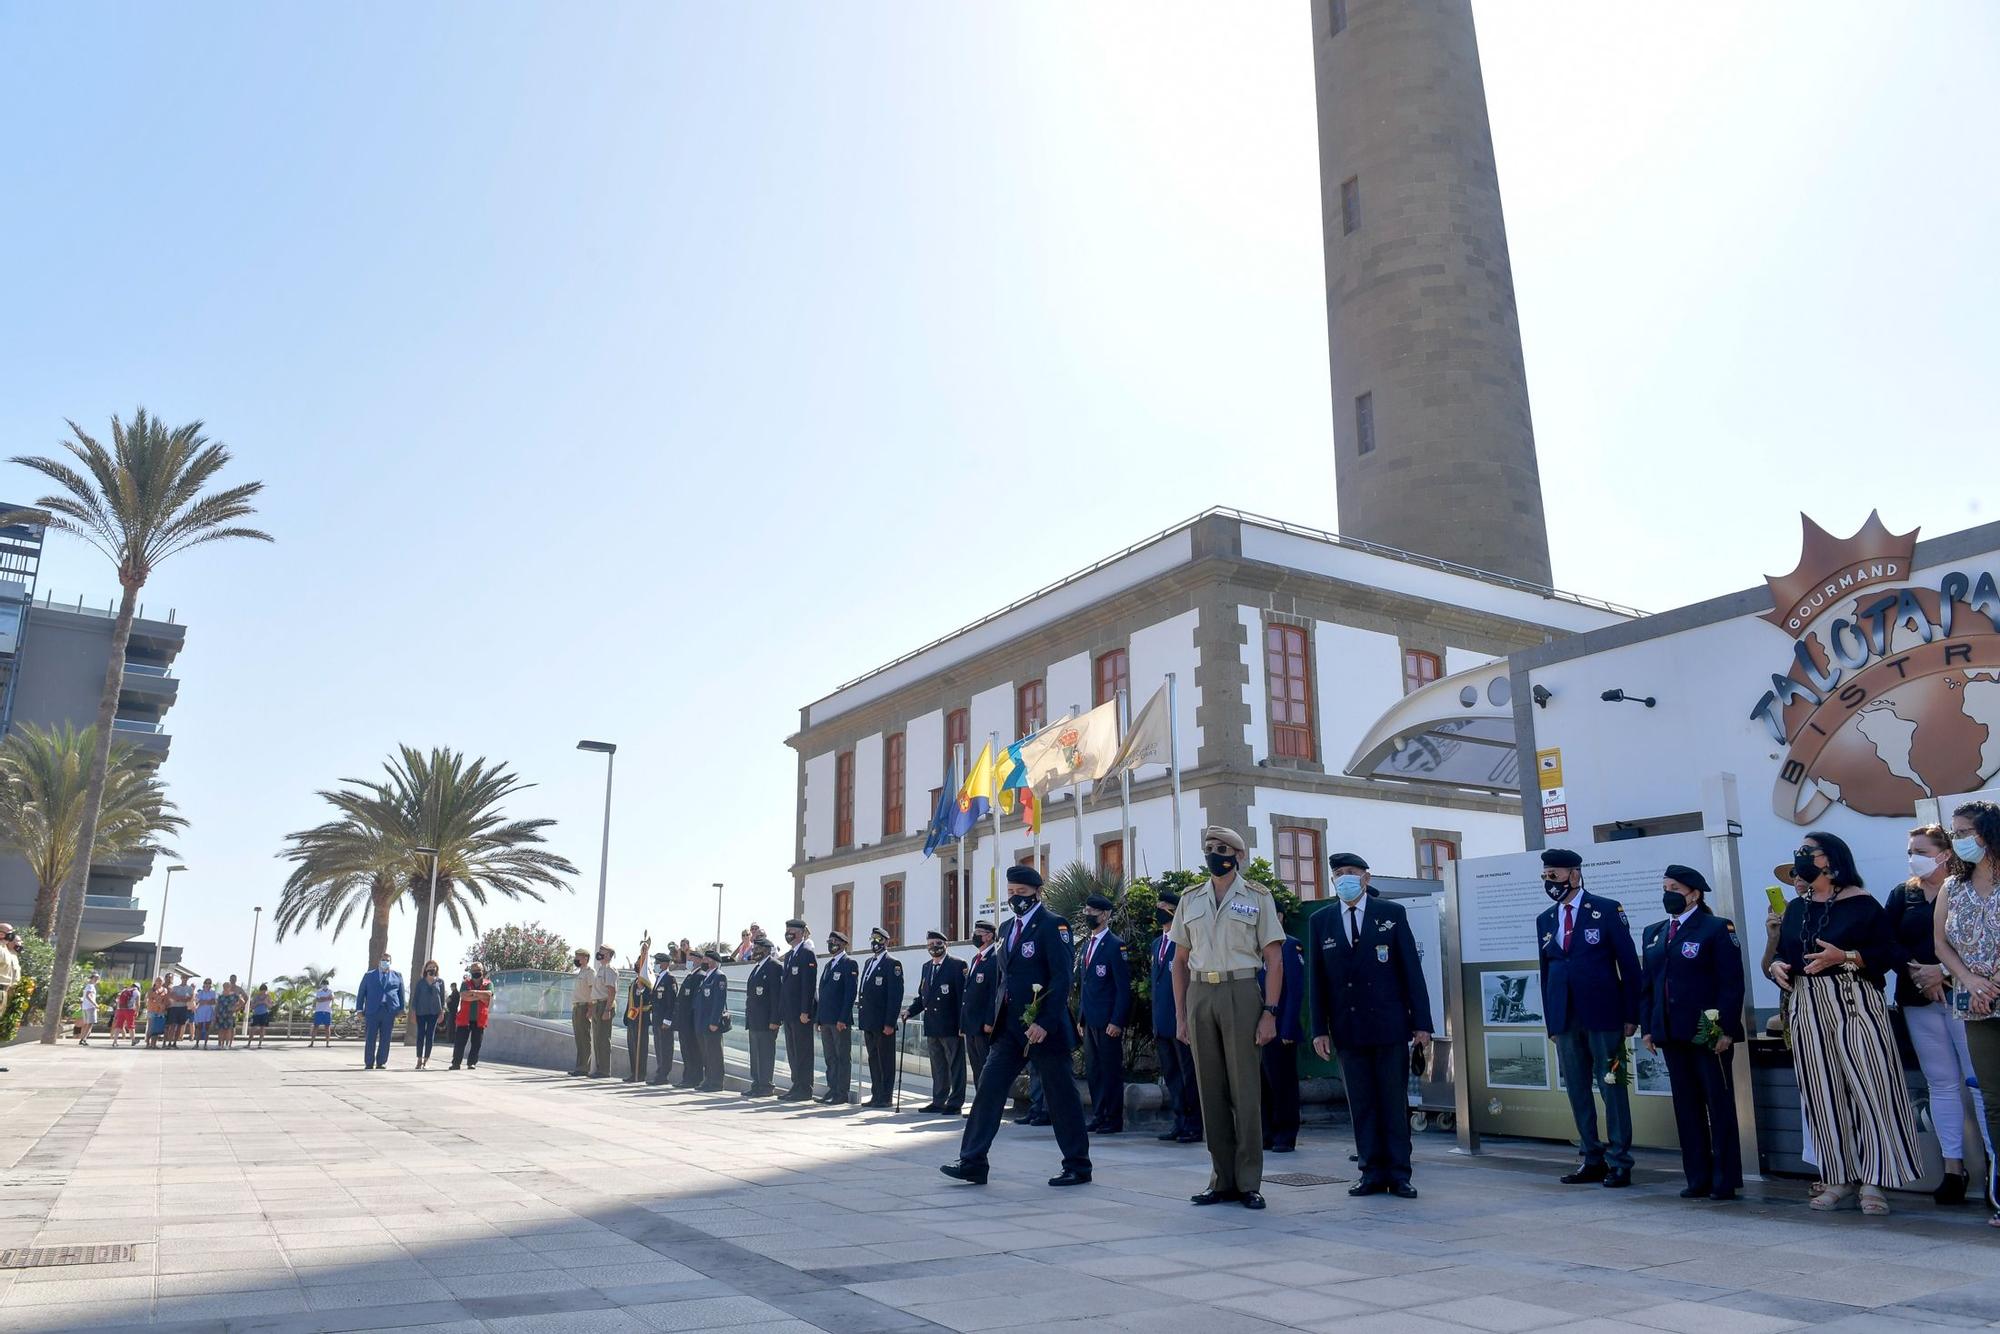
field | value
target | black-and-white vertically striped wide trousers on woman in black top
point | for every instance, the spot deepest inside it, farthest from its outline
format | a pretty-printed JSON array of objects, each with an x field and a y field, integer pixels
[{"x": 1851, "y": 1081}]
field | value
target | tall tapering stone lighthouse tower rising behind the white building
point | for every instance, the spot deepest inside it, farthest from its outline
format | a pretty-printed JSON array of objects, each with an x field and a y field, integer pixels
[{"x": 1435, "y": 447}]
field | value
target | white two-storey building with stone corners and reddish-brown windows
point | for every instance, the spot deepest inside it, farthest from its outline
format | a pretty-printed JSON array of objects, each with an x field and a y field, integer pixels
[{"x": 1287, "y": 645}]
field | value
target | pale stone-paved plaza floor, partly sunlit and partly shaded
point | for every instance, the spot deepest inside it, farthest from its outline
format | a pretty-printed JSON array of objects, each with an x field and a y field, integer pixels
[{"x": 293, "y": 1193}]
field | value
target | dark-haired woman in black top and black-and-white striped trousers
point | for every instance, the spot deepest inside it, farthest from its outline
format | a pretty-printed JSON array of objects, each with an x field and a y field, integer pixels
[{"x": 1835, "y": 953}]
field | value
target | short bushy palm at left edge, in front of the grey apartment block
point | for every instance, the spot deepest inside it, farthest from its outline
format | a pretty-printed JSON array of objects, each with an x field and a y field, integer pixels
[{"x": 43, "y": 807}]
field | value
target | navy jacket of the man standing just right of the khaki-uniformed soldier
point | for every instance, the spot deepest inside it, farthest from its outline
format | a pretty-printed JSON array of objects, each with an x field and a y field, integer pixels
[{"x": 1371, "y": 995}]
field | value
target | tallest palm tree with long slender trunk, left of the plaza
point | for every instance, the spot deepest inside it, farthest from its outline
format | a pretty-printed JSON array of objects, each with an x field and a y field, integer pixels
[{"x": 139, "y": 503}]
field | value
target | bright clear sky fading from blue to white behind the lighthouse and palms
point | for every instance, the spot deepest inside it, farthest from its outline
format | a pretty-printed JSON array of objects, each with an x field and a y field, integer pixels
[{"x": 645, "y": 371}]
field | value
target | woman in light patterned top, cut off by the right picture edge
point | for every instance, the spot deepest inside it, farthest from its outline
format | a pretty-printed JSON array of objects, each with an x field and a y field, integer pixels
[{"x": 1969, "y": 947}]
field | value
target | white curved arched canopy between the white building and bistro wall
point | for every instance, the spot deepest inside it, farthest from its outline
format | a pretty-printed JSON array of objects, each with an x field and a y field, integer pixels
[{"x": 1455, "y": 733}]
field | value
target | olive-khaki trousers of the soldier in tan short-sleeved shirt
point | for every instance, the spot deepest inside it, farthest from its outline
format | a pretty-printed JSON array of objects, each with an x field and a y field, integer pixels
[{"x": 1223, "y": 1035}]
